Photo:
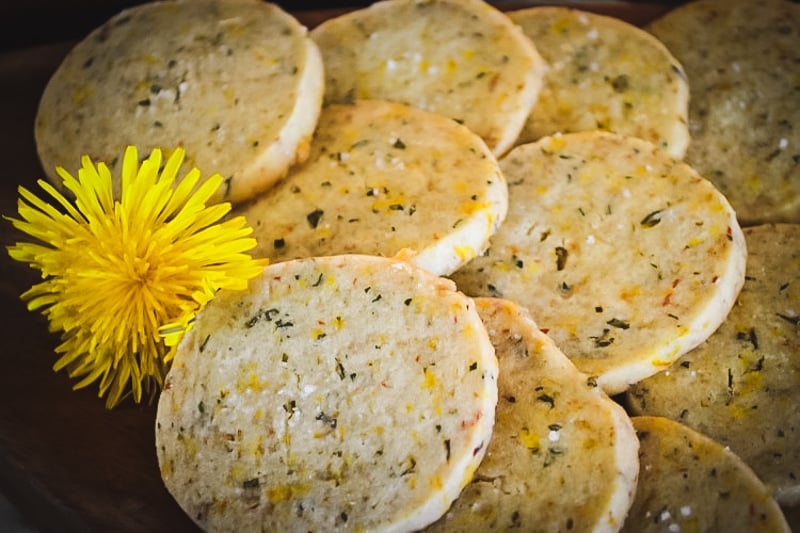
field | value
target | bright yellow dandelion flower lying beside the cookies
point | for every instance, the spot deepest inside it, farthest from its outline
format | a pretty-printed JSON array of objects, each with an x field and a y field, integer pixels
[{"x": 124, "y": 277}]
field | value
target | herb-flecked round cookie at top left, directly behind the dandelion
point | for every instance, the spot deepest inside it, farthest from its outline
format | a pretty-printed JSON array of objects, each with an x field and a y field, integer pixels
[{"x": 237, "y": 83}]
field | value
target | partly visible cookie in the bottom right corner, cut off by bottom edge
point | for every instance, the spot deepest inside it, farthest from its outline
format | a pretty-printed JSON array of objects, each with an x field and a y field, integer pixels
[{"x": 689, "y": 482}]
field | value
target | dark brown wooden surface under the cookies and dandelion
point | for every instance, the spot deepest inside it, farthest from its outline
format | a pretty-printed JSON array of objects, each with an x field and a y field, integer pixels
[{"x": 66, "y": 462}]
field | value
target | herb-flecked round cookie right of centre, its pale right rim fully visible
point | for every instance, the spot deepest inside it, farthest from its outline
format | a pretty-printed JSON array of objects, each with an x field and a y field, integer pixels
[{"x": 625, "y": 256}]
